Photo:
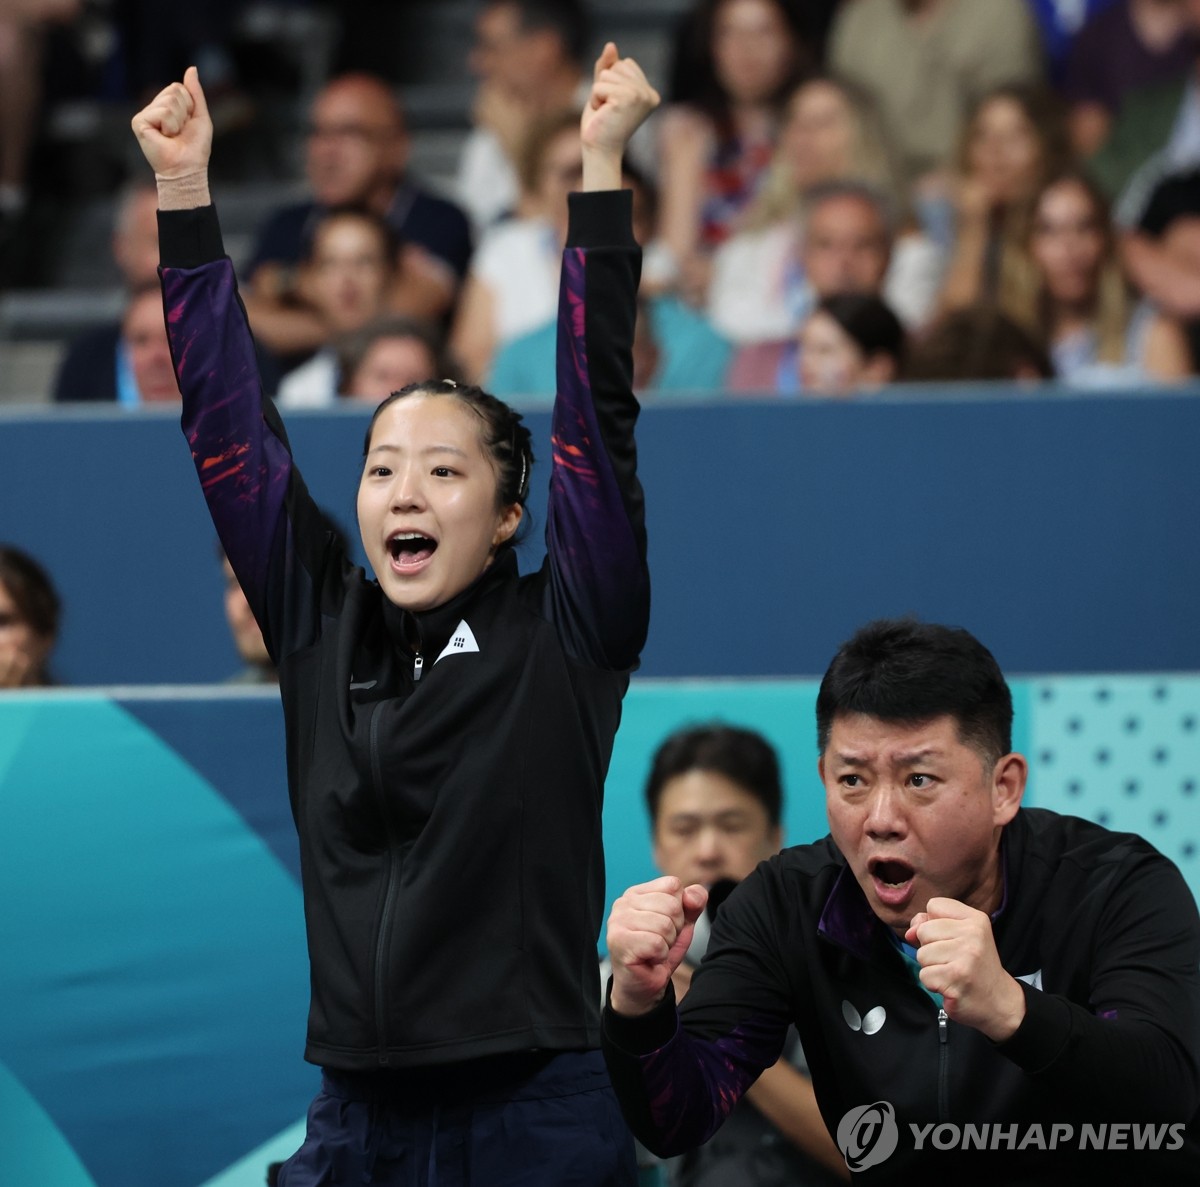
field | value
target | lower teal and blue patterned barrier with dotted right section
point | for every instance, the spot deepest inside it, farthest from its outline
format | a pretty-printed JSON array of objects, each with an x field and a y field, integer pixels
[{"x": 153, "y": 972}]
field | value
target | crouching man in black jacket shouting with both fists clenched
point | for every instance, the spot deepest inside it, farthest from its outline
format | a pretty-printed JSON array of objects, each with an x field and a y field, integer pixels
[{"x": 983, "y": 991}]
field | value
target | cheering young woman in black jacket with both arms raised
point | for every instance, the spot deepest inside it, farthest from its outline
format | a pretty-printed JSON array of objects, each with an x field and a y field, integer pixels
[{"x": 449, "y": 724}]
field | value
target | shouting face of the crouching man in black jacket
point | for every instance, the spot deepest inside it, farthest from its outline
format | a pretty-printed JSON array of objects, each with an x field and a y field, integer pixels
[{"x": 917, "y": 813}]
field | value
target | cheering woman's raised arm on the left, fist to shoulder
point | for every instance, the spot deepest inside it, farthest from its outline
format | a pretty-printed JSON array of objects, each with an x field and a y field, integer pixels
[{"x": 259, "y": 503}]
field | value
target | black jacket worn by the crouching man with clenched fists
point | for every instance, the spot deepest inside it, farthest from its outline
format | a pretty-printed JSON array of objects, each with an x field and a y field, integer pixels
[{"x": 1101, "y": 930}]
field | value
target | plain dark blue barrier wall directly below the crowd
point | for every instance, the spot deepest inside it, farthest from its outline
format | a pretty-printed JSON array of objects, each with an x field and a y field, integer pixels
[{"x": 1060, "y": 529}]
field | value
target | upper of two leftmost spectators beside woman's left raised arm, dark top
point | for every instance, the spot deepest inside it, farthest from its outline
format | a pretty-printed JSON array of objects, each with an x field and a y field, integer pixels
[{"x": 94, "y": 361}]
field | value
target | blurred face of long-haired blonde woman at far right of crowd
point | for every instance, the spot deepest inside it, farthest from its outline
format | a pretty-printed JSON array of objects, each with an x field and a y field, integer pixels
[{"x": 1069, "y": 244}]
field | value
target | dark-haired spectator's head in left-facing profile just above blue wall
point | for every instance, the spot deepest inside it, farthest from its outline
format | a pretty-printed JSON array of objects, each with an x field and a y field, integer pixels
[{"x": 850, "y": 344}]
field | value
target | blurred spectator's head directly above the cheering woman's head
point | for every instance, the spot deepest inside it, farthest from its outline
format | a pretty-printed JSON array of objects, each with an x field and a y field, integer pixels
[{"x": 386, "y": 356}]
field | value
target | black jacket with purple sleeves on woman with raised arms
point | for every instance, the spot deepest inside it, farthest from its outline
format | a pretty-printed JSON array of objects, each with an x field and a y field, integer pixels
[{"x": 446, "y": 768}]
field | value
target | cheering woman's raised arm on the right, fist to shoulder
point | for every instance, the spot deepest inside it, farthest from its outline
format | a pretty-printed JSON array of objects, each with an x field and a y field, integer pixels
[{"x": 596, "y": 532}]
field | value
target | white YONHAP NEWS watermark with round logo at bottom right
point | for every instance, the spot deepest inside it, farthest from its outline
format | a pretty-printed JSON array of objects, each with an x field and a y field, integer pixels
[{"x": 869, "y": 1135}]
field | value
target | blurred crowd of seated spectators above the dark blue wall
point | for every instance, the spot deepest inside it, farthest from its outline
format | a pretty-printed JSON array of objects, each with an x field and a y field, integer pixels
[{"x": 837, "y": 196}]
